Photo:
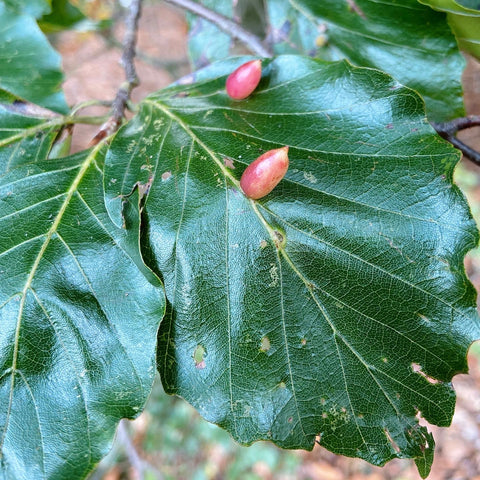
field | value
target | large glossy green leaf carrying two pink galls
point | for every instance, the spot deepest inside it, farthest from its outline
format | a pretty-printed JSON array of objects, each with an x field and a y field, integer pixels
[{"x": 337, "y": 305}]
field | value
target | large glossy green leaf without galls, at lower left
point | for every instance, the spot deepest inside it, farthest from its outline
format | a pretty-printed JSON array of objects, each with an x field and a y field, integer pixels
[{"x": 79, "y": 318}]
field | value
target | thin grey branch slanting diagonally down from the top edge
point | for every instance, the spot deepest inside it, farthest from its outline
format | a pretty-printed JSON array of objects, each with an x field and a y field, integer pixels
[{"x": 225, "y": 24}]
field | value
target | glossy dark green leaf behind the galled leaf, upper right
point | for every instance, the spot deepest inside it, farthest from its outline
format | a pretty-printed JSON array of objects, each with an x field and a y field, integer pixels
[{"x": 403, "y": 38}]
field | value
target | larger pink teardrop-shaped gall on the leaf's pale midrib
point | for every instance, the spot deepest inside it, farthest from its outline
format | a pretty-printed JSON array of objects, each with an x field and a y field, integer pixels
[{"x": 265, "y": 173}]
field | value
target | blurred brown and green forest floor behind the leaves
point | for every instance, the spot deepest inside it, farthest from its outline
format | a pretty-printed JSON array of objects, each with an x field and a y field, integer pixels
[{"x": 171, "y": 439}]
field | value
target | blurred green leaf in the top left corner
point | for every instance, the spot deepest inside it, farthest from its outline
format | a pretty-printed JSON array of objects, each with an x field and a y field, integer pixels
[{"x": 29, "y": 66}]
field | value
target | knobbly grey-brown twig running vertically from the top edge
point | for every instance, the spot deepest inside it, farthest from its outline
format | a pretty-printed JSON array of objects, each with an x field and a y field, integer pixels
[{"x": 128, "y": 56}]
